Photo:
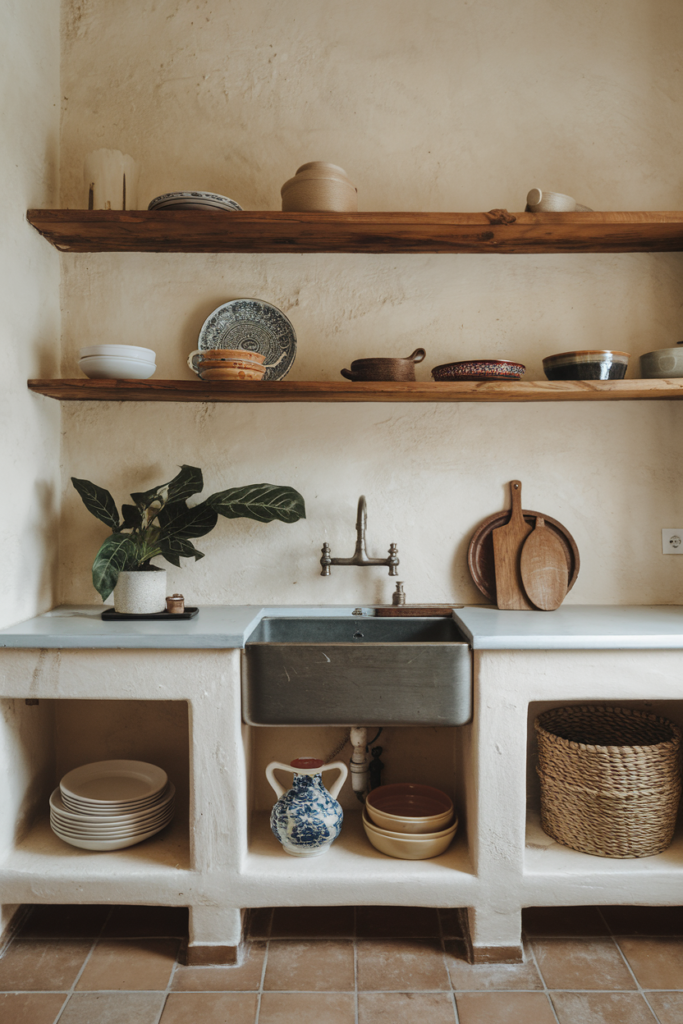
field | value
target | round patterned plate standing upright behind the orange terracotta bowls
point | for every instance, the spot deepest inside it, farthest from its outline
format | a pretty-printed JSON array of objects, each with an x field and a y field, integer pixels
[{"x": 255, "y": 327}]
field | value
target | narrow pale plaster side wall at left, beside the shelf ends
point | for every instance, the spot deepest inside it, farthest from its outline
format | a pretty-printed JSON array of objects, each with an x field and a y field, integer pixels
[{"x": 29, "y": 307}]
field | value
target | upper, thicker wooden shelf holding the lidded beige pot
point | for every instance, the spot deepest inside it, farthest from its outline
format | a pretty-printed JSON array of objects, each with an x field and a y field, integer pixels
[{"x": 499, "y": 232}]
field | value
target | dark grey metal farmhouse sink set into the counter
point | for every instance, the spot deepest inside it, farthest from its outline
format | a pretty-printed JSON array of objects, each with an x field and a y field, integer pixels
[{"x": 357, "y": 671}]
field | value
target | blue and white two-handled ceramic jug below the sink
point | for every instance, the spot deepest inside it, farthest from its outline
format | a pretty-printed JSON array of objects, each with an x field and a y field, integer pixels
[{"x": 308, "y": 819}]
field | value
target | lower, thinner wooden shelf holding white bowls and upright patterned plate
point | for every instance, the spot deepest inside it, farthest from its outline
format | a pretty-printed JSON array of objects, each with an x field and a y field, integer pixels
[{"x": 271, "y": 392}]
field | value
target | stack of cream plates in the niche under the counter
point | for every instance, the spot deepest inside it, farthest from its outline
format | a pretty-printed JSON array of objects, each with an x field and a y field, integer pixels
[{"x": 109, "y": 805}]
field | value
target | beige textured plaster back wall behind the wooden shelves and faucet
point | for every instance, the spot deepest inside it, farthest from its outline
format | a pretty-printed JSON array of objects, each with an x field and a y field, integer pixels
[{"x": 445, "y": 106}]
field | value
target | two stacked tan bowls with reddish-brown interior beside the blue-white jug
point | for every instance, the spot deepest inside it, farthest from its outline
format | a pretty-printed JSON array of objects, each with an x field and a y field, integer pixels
[{"x": 410, "y": 822}]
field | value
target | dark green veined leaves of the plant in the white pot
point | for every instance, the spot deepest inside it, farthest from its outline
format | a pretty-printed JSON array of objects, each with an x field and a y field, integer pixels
[{"x": 160, "y": 523}]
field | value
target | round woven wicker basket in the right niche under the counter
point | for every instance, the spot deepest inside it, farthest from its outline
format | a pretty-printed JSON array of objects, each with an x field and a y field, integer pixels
[{"x": 611, "y": 780}]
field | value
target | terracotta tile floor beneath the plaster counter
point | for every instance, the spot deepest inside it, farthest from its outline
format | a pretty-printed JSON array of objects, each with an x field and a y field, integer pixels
[{"x": 98, "y": 965}]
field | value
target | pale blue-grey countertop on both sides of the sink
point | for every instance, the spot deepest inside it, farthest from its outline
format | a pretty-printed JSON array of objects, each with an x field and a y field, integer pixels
[{"x": 571, "y": 628}]
